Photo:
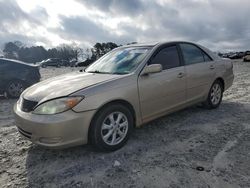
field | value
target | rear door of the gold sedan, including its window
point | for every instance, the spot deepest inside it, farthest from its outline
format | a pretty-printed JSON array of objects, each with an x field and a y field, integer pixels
[{"x": 200, "y": 70}]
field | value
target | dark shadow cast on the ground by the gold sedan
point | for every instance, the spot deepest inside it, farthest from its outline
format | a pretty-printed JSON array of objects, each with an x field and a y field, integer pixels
[{"x": 68, "y": 167}]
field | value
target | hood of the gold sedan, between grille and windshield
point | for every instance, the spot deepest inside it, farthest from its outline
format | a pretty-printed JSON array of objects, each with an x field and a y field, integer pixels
[{"x": 65, "y": 85}]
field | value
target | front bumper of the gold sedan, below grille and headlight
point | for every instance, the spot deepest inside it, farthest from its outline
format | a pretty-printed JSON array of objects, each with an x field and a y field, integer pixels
[{"x": 55, "y": 131}]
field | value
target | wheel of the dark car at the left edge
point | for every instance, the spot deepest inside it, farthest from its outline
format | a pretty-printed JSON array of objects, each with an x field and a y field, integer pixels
[{"x": 15, "y": 88}]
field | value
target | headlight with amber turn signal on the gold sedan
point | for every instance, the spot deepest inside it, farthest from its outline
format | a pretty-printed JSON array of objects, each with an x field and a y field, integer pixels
[{"x": 56, "y": 106}]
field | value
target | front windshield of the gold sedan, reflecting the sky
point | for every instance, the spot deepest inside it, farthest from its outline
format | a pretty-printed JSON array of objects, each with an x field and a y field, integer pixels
[{"x": 121, "y": 61}]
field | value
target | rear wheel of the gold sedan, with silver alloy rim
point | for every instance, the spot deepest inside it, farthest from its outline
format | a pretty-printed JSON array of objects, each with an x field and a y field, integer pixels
[{"x": 215, "y": 95}]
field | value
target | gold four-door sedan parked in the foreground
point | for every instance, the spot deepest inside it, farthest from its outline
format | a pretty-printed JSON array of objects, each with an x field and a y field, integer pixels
[{"x": 125, "y": 88}]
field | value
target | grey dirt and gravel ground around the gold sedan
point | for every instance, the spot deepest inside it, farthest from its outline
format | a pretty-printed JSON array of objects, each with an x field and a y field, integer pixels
[{"x": 194, "y": 147}]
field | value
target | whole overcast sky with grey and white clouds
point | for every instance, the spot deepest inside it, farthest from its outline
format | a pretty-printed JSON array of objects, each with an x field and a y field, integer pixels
[{"x": 217, "y": 24}]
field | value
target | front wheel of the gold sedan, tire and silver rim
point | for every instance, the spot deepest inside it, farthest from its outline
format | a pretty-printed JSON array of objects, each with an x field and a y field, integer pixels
[{"x": 106, "y": 135}]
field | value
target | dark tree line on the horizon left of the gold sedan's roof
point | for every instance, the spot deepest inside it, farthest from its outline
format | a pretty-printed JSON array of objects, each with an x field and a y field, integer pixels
[{"x": 17, "y": 50}]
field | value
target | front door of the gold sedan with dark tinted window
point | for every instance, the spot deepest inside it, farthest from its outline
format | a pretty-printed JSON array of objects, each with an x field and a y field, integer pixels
[{"x": 162, "y": 91}]
